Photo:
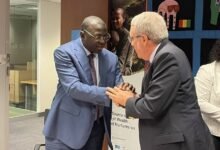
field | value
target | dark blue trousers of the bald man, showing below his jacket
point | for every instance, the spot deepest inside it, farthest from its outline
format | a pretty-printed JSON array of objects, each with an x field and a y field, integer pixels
[{"x": 94, "y": 142}]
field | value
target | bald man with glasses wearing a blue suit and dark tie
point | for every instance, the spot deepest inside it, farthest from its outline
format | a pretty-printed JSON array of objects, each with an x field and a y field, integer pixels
[{"x": 81, "y": 111}]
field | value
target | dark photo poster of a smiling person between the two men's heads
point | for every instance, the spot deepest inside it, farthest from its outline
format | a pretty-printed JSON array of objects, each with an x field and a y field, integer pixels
[{"x": 120, "y": 15}]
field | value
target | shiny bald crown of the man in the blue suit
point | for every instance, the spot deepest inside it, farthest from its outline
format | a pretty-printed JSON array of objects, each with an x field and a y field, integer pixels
[{"x": 92, "y": 21}]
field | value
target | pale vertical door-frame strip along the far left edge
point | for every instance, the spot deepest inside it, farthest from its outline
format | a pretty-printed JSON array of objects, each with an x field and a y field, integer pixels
[{"x": 4, "y": 92}]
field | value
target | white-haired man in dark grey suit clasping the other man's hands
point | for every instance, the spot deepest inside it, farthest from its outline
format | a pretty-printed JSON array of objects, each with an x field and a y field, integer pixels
[{"x": 167, "y": 108}]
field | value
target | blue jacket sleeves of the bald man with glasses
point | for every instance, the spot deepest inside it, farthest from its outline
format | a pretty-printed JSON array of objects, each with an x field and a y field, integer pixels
[{"x": 70, "y": 77}]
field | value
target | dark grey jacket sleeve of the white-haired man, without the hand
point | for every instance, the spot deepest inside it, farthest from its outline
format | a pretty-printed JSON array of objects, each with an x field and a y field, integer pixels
[{"x": 160, "y": 91}]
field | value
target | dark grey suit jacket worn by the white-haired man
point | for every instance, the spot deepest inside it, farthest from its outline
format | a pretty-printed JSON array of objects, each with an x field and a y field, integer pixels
[{"x": 168, "y": 112}]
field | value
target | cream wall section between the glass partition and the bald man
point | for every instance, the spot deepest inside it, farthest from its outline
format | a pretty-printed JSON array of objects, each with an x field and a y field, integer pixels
[{"x": 48, "y": 39}]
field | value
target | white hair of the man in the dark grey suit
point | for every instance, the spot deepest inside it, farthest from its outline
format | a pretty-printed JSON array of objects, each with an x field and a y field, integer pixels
[{"x": 152, "y": 24}]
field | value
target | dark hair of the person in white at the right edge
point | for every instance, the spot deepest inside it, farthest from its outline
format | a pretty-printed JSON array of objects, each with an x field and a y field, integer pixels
[{"x": 215, "y": 51}]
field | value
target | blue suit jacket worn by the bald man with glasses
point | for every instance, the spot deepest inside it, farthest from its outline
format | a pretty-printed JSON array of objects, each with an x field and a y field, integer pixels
[{"x": 73, "y": 109}]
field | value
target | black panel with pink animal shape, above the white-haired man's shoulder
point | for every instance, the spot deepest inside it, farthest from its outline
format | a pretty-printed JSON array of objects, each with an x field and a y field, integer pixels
[{"x": 178, "y": 14}]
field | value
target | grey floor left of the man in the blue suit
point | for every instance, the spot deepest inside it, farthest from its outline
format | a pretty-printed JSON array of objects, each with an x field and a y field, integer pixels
[{"x": 25, "y": 132}]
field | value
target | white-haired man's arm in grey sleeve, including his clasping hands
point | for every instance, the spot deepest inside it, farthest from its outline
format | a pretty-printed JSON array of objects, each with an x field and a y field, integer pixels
[{"x": 159, "y": 95}]
